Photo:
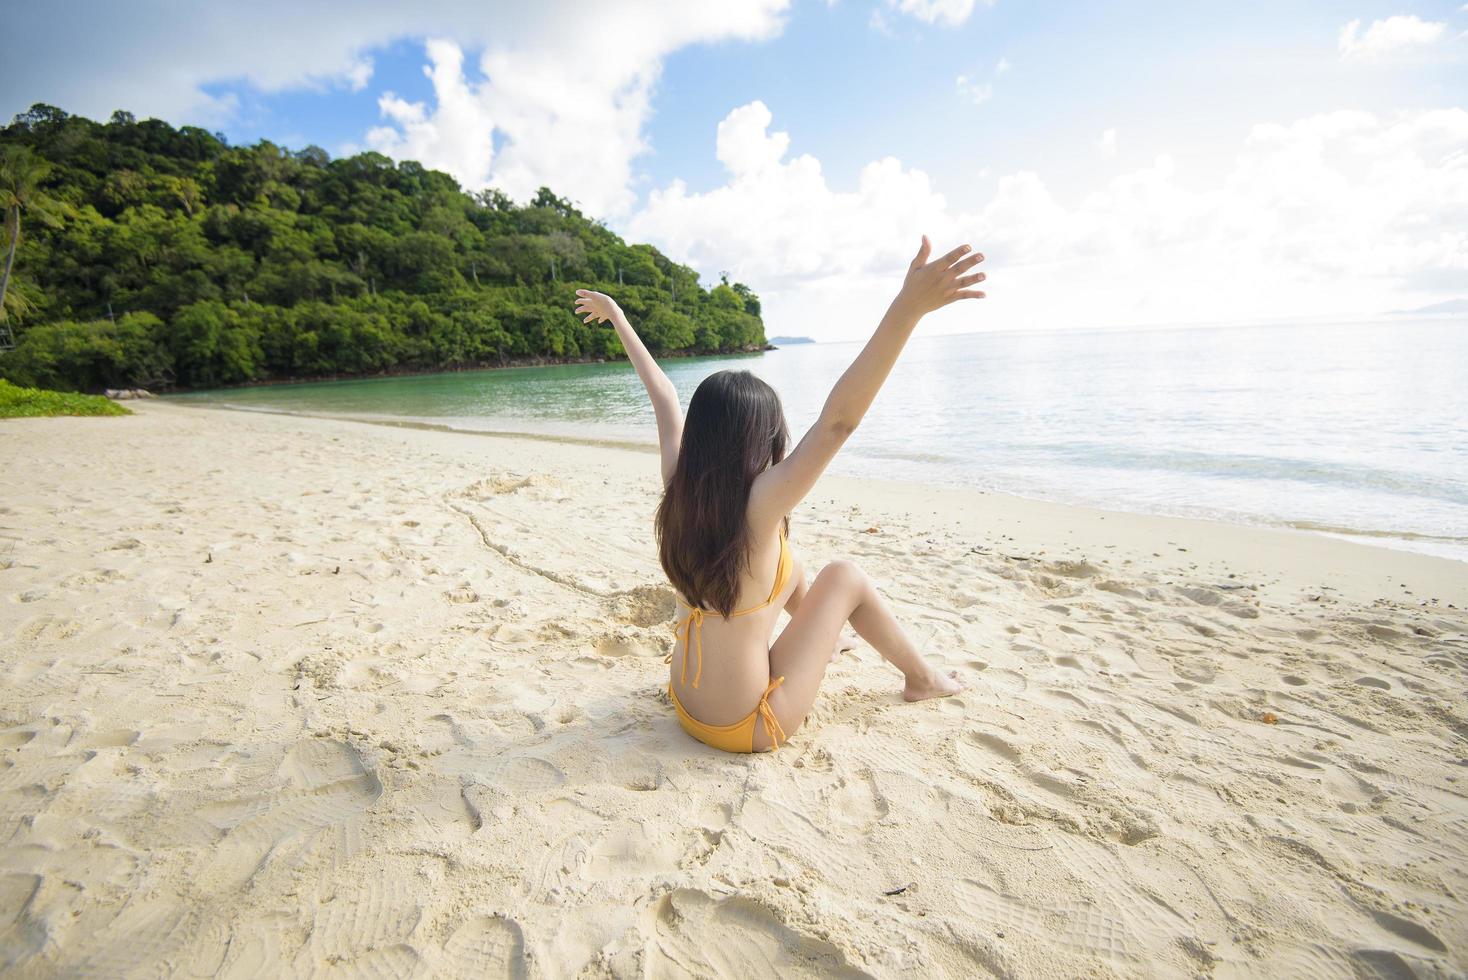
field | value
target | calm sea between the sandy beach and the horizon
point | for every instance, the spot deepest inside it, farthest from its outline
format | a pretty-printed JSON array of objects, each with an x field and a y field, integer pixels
[{"x": 1351, "y": 429}]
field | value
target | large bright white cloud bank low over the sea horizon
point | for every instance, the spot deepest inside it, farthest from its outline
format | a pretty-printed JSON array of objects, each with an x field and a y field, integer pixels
[{"x": 1341, "y": 213}]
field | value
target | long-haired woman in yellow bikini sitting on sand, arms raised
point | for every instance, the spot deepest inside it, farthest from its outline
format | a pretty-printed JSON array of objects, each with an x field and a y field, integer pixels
[{"x": 729, "y": 489}]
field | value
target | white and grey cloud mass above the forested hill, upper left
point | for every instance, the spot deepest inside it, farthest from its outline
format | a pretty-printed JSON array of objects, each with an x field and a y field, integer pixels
[{"x": 567, "y": 86}]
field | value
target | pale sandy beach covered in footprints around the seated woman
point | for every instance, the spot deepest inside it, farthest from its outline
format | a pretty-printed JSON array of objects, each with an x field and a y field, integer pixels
[{"x": 291, "y": 696}]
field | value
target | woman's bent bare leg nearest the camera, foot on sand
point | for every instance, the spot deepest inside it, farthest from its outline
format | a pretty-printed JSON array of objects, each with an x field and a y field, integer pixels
[{"x": 842, "y": 593}]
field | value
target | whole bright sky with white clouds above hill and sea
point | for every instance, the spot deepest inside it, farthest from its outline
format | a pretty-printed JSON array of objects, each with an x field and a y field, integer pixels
[{"x": 1127, "y": 164}]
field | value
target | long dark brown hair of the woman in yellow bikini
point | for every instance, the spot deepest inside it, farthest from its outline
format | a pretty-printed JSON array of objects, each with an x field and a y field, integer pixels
[{"x": 733, "y": 432}]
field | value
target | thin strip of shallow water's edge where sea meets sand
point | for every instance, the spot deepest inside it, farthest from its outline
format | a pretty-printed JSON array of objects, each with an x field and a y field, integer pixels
[{"x": 1350, "y": 536}]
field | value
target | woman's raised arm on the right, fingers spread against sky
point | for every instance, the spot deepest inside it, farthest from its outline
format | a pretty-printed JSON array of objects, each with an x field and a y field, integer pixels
[{"x": 927, "y": 288}]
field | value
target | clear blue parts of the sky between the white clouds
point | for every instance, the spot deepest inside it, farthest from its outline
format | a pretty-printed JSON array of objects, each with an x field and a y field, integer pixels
[{"x": 1160, "y": 71}]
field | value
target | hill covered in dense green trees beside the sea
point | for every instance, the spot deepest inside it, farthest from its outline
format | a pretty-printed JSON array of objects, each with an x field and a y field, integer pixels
[{"x": 162, "y": 257}]
